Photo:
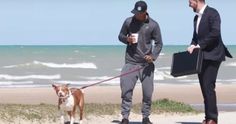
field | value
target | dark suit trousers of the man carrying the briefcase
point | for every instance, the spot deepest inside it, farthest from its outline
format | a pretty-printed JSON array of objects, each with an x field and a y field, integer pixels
[{"x": 207, "y": 79}]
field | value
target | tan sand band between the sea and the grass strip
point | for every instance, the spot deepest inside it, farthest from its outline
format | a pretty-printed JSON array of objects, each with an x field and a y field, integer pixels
[{"x": 189, "y": 94}]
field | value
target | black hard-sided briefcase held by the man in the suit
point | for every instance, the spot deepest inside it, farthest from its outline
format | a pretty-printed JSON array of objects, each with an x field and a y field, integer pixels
[{"x": 184, "y": 63}]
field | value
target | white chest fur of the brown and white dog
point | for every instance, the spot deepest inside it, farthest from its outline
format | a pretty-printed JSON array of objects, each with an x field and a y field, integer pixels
[{"x": 68, "y": 104}]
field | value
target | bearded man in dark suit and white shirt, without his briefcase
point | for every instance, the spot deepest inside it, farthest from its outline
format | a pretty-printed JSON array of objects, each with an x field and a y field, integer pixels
[{"x": 207, "y": 37}]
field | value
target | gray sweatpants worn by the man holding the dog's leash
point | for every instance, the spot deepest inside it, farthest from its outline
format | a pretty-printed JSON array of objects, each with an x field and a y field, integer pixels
[{"x": 127, "y": 84}]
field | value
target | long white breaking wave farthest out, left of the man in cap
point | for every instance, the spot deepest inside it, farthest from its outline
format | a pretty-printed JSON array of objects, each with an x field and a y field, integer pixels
[{"x": 55, "y": 65}]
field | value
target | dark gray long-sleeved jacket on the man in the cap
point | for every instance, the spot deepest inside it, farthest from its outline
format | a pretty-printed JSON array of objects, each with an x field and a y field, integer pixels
[{"x": 148, "y": 31}]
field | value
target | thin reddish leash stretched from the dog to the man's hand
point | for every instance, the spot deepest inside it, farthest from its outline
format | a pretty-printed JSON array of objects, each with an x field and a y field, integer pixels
[{"x": 124, "y": 74}]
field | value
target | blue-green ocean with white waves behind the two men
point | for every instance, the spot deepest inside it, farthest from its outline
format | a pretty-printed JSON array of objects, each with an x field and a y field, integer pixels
[{"x": 40, "y": 66}]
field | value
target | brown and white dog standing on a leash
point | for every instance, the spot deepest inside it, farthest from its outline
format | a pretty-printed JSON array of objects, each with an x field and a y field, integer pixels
[{"x": 68, "y": 101}]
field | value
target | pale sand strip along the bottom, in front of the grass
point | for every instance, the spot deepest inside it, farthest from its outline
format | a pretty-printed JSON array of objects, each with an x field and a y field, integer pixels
[{"x": 224, "y": 118}]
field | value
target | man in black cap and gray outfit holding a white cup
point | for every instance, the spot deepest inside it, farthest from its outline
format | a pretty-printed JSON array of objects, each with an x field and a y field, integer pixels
[{"x": 142, "y": 36}]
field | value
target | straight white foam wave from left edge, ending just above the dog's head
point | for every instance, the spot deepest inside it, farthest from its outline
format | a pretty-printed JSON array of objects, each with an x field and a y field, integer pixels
[{"x": 48, "y": 77}]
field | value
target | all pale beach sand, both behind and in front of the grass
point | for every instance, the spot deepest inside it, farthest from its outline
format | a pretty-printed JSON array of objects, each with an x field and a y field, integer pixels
[{"x": 190, "y": 94}]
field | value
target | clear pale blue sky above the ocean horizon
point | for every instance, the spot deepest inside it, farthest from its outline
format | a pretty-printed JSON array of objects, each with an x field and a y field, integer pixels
[{"x": 98, "y": 22}]
